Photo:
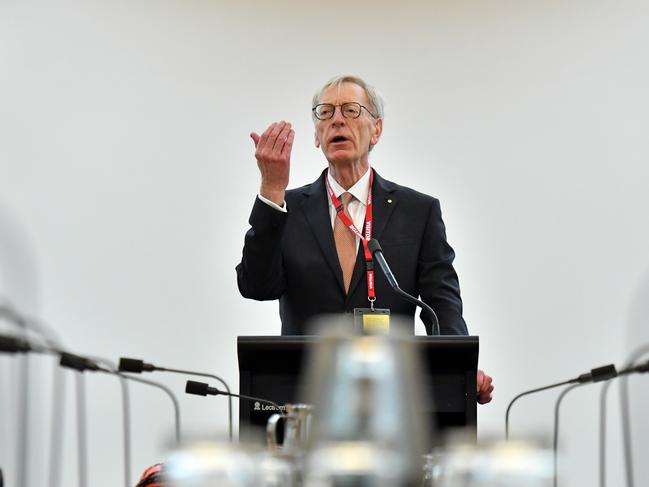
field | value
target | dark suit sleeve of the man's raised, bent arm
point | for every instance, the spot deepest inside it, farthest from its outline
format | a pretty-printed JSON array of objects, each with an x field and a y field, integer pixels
[{"x": 260, "y": 275}]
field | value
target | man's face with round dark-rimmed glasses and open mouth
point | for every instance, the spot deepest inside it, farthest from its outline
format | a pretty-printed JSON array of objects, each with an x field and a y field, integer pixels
[{"x": 346, "y": 140}]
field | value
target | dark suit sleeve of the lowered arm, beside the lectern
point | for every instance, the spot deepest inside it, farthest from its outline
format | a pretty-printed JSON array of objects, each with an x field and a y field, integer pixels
[{"x": 437, "y": 280}]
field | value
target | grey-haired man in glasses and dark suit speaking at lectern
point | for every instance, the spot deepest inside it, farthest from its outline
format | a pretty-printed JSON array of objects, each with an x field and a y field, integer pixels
[{"x": 307, "y": 246}]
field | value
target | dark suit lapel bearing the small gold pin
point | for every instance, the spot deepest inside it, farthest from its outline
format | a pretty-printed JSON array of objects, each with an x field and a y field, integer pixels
[{"x": 383, "y": 203}]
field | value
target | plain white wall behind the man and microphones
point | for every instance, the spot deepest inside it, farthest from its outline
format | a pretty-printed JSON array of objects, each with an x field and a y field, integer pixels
[{"x": 127, "y": 176}]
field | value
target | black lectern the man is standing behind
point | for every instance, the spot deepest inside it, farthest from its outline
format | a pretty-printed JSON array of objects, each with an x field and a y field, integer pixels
[{"x": 270, "y": 367}]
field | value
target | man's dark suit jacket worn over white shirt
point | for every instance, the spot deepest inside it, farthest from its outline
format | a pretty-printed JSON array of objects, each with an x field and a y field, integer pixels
[{"x": 292, "y": 257}]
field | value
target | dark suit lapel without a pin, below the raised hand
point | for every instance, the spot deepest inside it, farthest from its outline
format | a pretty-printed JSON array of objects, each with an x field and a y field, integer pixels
[{"x": 316, "y": 211}]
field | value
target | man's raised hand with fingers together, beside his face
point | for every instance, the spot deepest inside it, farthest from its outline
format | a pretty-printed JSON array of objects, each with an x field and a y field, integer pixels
[{"x": 273, "y": 154}]
